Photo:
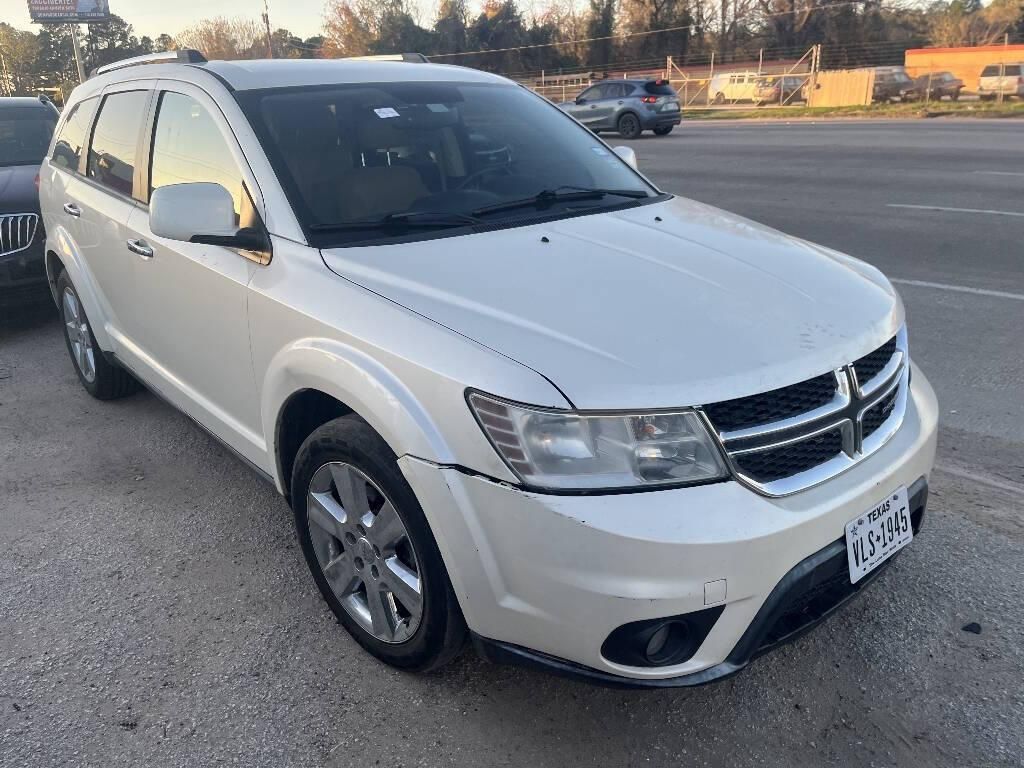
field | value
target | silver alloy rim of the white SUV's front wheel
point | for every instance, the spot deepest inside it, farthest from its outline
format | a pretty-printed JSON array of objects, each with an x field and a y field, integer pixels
[{"x": 365, "y": 552}]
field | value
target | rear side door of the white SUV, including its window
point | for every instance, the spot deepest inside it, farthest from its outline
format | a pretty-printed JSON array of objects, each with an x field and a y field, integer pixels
[{"x": 99, "y": 201}]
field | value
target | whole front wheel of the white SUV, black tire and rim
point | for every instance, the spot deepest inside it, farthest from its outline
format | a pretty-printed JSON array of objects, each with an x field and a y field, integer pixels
[{"x": 371, "y": 550}]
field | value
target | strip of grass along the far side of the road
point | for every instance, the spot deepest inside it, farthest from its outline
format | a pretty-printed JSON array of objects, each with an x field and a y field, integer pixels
[{"x": 910, "y": 111}]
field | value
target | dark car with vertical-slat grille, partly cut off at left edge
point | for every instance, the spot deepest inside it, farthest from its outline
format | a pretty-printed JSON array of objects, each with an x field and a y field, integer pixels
[{"x": 26, "y": 129}]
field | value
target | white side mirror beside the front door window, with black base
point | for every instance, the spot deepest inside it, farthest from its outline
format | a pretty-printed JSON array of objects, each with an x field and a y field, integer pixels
[{"x": 200, "y": 212}]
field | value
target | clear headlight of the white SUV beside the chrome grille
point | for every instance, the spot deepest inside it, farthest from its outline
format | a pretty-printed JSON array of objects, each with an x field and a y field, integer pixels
[{"x": 561, "y": 450}]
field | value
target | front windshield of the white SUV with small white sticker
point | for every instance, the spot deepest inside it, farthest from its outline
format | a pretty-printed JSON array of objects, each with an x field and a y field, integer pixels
[{"x": 362, "y": 153}]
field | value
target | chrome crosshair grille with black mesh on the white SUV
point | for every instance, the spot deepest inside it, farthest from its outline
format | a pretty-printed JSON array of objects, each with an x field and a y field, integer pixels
[{"x": 789, "y": 440}]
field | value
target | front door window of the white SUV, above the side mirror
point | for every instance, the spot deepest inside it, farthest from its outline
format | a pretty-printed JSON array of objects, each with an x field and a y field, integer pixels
[{"x": 188, "y": 147}]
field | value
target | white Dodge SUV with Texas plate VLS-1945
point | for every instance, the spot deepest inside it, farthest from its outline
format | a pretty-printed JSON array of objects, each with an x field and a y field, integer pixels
[{"x": 513, "y": 392}]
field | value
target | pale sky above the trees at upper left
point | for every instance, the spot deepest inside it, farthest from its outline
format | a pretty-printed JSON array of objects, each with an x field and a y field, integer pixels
[{"x": 152, "y": 18}]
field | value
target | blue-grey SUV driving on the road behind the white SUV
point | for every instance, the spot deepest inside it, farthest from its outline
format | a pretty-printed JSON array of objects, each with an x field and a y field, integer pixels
[{"x": 628, "y": 107}]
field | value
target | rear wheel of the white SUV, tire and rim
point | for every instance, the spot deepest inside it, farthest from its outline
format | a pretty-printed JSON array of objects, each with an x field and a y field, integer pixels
[{"x": 101, "y": 378}]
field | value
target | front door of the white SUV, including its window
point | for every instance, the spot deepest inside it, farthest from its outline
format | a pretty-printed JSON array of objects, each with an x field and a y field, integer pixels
[{"x": 191, "y": 307}]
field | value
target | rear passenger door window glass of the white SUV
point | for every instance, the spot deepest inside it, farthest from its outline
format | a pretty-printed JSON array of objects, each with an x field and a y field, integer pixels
[{"x": 115, "y": 141}]
